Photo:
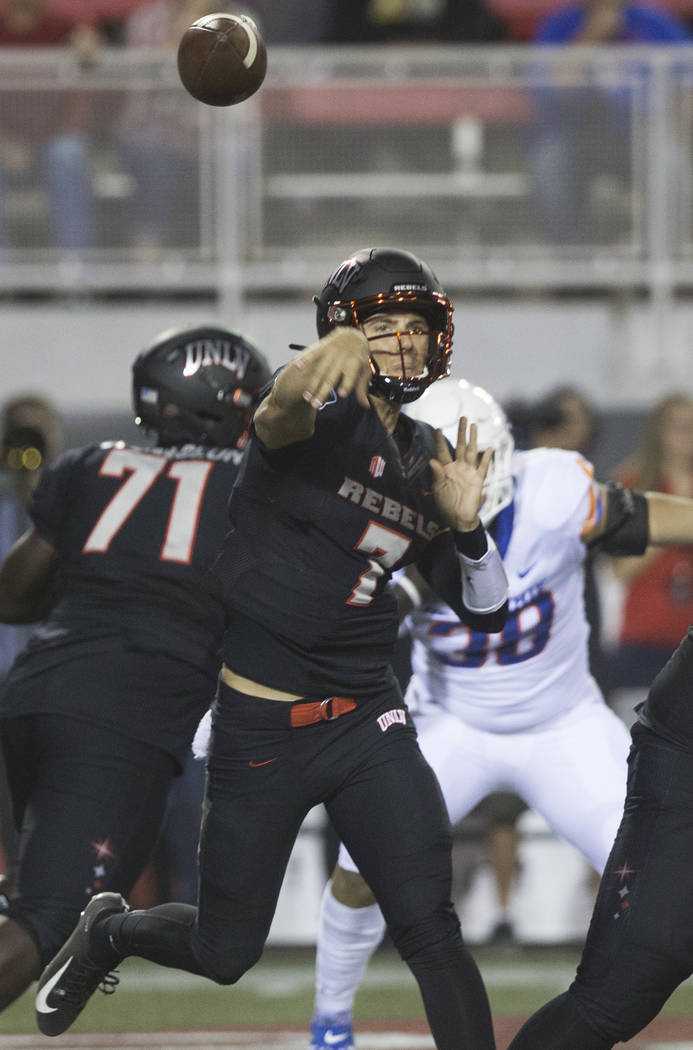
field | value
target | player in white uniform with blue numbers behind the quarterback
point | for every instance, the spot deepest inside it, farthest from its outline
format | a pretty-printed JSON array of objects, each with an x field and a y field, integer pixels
[{"x": 518, "y": 710}]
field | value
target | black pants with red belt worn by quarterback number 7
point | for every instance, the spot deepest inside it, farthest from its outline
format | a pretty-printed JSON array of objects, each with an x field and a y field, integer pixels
[{"x": 264, "y": 776}]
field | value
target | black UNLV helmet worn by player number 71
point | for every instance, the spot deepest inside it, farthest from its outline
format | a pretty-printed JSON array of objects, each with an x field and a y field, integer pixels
[{"x": 199, "y": 385}]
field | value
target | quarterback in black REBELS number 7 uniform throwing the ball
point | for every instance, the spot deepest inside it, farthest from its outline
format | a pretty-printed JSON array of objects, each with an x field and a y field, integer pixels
[{"x": 337, "y": 492}]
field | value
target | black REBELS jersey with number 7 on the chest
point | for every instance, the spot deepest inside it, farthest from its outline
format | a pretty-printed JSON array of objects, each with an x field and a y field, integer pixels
[{"x": 318, "y": 530}]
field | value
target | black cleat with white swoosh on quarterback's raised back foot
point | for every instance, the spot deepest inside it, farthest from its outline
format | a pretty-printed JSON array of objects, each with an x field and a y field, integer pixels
[{"x": 71, "y": 978}]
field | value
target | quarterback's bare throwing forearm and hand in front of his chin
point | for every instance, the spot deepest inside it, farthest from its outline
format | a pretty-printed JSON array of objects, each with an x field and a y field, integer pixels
[{"x": 340, "y": 363}]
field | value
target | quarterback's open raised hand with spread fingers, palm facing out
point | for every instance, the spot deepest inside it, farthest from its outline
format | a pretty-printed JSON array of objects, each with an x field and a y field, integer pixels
[{"x": 458, "y": 482}]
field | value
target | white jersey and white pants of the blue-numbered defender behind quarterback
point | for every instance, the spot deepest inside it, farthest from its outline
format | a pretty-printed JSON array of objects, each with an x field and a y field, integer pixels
[{"x": 520, "y": 710}]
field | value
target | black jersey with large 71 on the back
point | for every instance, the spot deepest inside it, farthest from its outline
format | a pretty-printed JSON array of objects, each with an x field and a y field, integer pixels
[{"x": 137, "y": 531}]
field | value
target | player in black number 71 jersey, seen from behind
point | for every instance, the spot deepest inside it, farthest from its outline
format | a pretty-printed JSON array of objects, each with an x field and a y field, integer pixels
[{"x": 99, "y": 711}]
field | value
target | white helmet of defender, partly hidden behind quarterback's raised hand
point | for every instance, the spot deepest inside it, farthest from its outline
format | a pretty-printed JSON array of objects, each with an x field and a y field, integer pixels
[{"x": 443, "y": 405}]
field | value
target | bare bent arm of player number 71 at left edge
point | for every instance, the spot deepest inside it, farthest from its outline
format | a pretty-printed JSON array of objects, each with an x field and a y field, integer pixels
[{"x": 27, "y": 578}]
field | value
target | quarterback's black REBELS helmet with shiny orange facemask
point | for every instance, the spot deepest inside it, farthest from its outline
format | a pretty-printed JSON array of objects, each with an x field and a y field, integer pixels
[{"x": 379, "y": 279}]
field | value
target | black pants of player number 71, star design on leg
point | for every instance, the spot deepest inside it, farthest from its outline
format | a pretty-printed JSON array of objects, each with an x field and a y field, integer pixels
[{"x": 91, "y": 804}]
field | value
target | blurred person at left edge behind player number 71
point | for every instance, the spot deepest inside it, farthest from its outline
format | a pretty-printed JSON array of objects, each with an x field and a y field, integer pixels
[{"x": 31, "y": 435}]
